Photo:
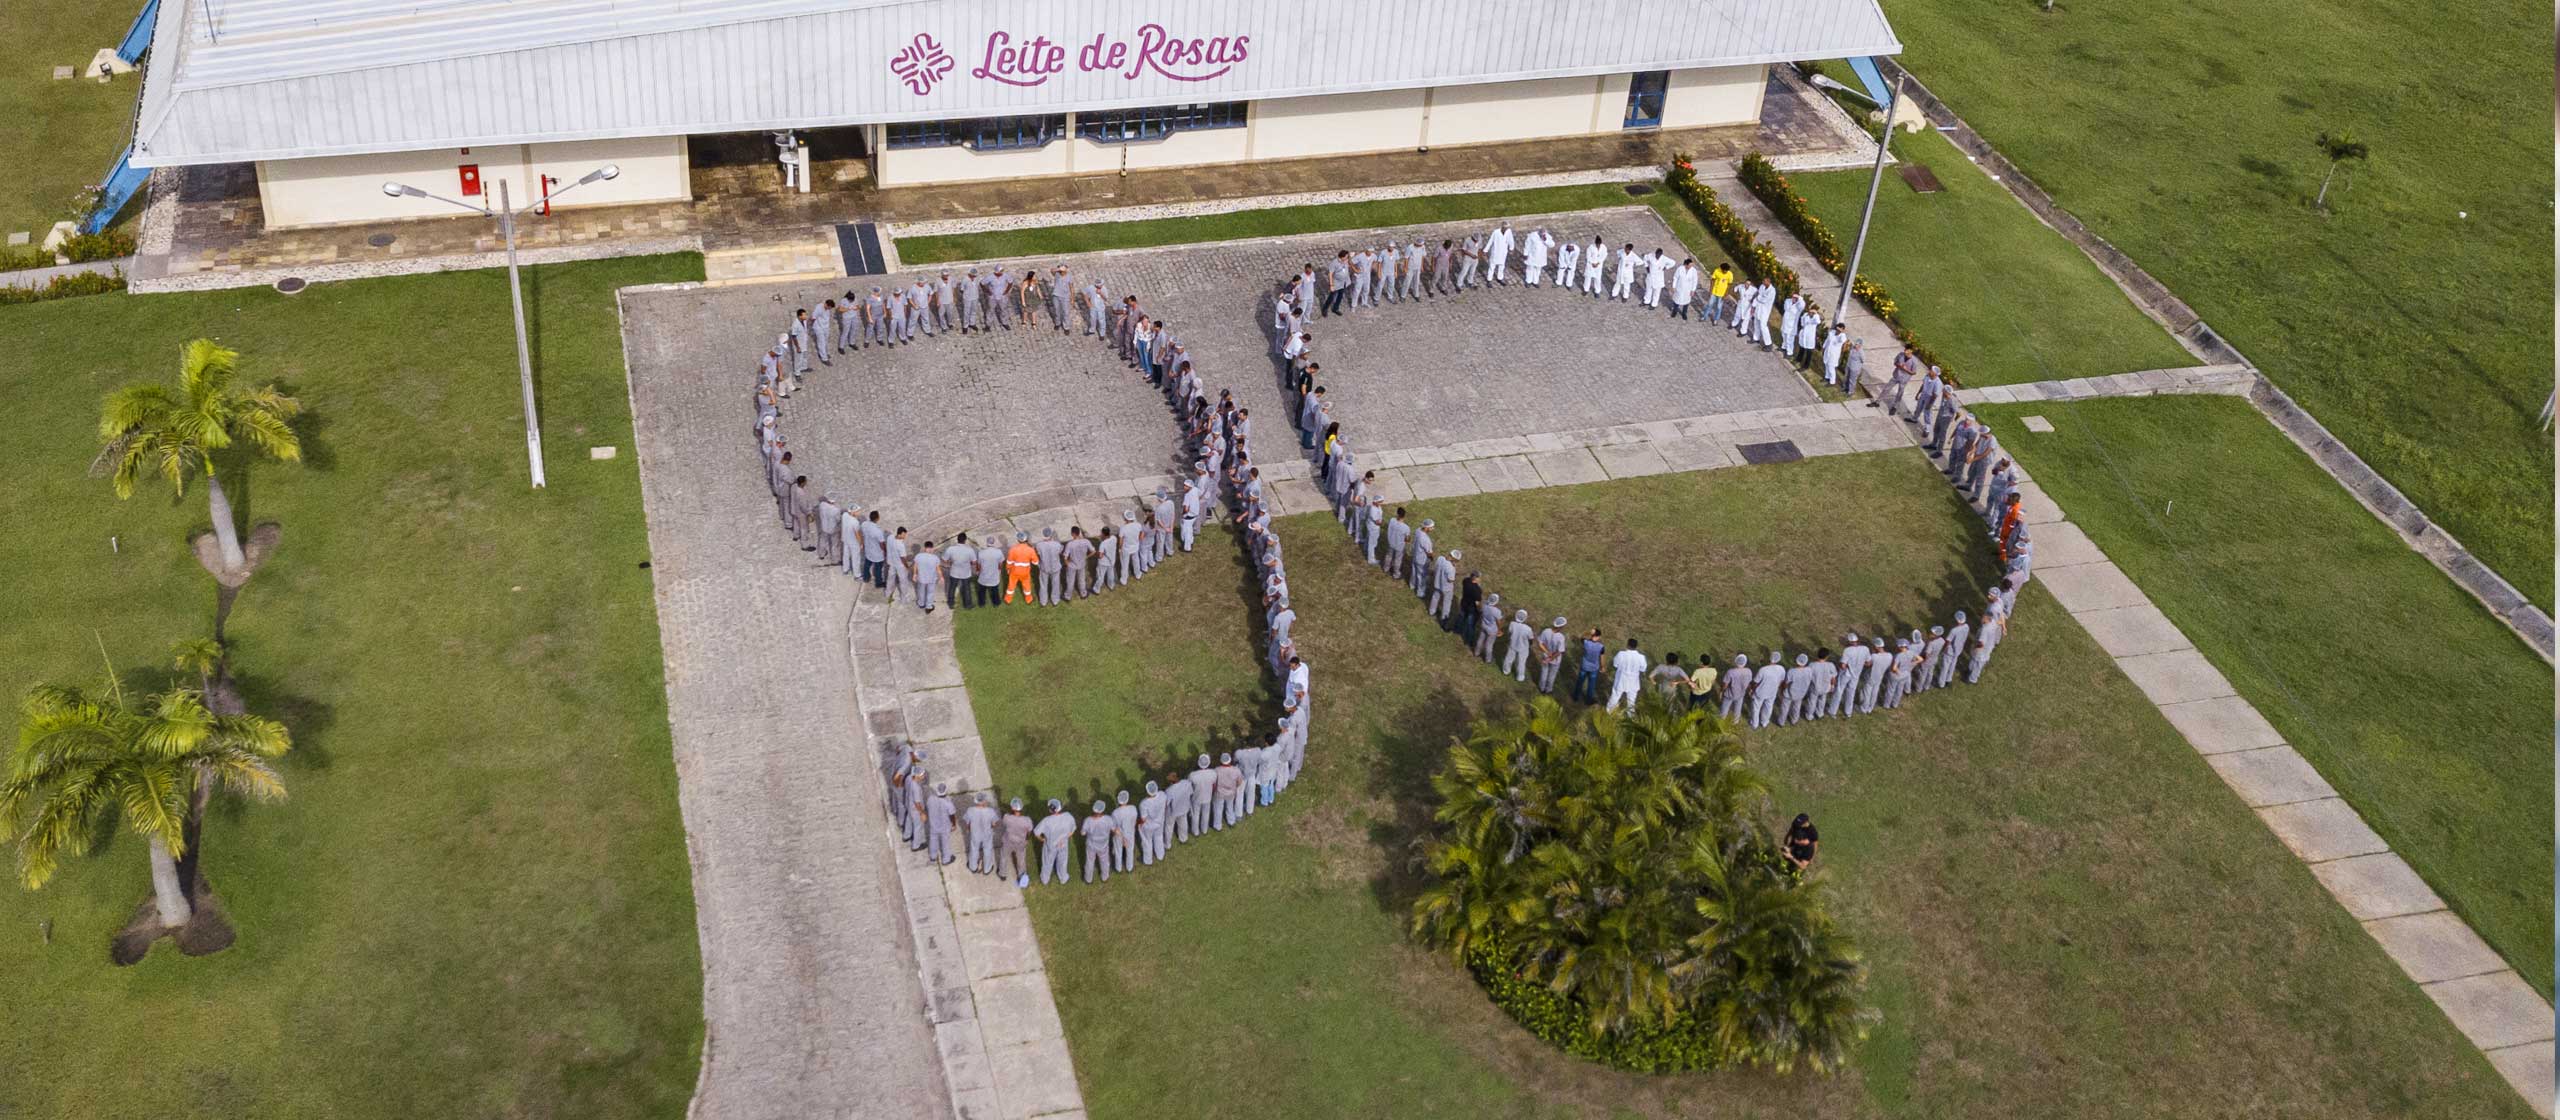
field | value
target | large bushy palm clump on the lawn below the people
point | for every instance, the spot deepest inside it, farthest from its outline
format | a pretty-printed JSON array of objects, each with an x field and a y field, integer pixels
[{"x": 1614, "y": 886}]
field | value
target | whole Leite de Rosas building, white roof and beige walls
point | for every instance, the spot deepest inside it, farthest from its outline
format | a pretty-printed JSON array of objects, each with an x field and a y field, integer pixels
[{"x": 334, "y": 98}]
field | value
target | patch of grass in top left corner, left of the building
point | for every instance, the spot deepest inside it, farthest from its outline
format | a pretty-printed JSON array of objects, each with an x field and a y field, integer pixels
[{"x": 65, "y": 132}]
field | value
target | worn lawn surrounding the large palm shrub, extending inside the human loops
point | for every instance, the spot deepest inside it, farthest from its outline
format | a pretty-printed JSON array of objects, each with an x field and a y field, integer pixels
[{"x": 2065, "y": 909}]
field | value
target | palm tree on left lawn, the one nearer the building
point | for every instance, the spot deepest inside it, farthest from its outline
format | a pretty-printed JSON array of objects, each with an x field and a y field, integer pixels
[{"x": 180, "y": 433}]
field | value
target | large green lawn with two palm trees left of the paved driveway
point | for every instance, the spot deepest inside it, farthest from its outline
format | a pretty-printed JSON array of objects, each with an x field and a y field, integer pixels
[{"x": 475, "y": 899}]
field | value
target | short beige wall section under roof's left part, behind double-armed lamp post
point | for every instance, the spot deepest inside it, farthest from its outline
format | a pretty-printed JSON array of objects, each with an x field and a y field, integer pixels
[{"x": 339, "y": 191}]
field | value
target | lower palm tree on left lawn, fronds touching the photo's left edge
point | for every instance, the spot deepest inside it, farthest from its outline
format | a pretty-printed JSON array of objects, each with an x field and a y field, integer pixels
[{"x": 93, "y": 753}]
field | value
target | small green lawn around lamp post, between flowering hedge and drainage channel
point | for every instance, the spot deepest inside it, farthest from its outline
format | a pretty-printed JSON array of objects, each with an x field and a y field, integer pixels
[{"x": 1983, "y": 283}]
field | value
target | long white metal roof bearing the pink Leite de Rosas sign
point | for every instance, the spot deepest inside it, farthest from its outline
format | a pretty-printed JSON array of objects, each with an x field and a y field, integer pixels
[{"x": 239, "y": 81}]
